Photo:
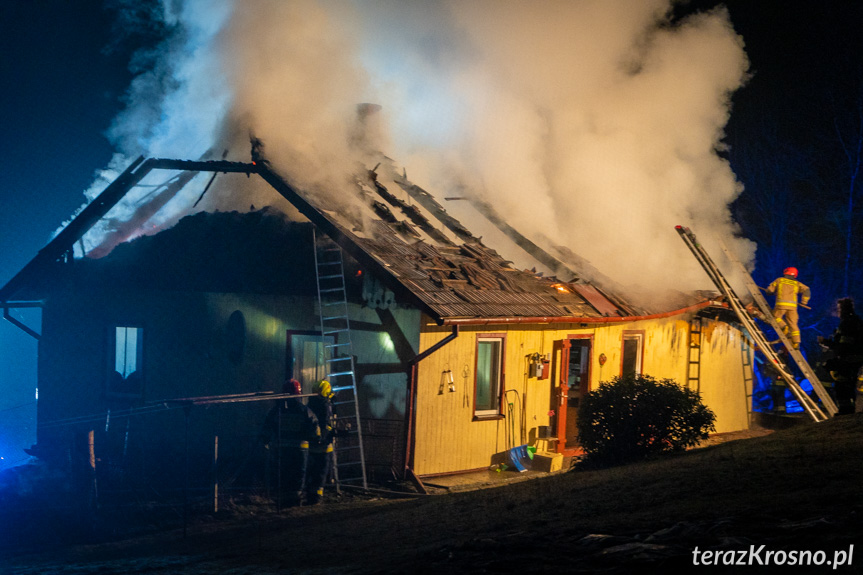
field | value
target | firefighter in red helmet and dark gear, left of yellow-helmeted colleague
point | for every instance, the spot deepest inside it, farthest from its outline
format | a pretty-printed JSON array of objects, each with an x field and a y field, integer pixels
[{"x": 294, "y": 427}]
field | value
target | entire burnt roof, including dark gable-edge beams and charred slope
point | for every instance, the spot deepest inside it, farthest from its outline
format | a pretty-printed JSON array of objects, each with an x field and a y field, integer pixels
[{"x": 401, "y": 234}]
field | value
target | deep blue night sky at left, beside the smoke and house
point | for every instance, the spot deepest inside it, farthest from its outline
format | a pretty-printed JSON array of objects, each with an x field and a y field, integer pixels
[{"x": 61, "y": 89}]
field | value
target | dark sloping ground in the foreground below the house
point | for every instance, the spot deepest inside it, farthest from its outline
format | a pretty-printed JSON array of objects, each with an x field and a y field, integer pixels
[{"x": 795, "y": 489}]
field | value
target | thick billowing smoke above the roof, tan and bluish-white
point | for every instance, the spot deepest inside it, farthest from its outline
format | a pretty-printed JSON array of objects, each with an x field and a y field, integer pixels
[{"x": 593, "y": 123}]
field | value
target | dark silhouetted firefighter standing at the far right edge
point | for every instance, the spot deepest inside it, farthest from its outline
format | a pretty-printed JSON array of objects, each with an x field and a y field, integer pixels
[{"x": 846, "y": 343}]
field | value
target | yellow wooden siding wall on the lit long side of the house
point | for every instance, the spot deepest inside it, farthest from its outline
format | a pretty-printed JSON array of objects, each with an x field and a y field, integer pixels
[{"x": 447, "y": 438}]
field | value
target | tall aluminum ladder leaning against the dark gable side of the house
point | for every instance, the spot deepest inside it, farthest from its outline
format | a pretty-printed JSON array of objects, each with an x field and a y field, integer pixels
[{"x": 349, "y": 464}]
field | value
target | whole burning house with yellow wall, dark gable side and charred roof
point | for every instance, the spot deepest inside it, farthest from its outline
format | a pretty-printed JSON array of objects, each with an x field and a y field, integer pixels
[{"x": 172, "y": 348}]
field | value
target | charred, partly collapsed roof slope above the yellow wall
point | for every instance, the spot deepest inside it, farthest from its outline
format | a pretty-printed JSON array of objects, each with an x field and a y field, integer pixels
[{"x": 452, "y": 271}]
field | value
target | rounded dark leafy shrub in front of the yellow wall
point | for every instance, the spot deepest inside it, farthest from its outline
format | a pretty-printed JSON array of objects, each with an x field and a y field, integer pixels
[{"x": 636, "y": 416}]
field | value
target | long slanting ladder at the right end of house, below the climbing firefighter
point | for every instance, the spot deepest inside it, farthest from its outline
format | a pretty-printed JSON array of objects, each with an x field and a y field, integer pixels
[{"x": 757, "y": 336}]
